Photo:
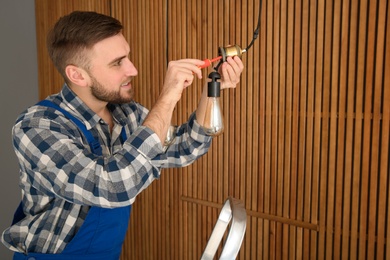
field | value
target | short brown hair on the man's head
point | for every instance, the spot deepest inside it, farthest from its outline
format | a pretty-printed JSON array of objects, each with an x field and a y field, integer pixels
[{"x": 75, "y": 33}]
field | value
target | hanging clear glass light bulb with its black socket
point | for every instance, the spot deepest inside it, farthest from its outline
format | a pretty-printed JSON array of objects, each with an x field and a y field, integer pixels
[{"x": 213, "y": 119}]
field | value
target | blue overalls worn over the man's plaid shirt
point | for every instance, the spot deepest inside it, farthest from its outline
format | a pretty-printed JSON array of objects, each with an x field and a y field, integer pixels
[{"x": 102, "y": 234}]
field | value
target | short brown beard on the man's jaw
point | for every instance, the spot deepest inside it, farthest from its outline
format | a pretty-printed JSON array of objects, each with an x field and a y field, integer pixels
[{"x": 114, "y": 97}]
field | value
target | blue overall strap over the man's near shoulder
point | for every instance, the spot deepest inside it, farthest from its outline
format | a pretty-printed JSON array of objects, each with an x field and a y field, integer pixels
[{"x": 93, "y": 143}]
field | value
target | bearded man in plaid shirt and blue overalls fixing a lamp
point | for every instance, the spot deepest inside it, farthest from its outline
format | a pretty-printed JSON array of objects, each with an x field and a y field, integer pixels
[{"x": 86, "y": 153}]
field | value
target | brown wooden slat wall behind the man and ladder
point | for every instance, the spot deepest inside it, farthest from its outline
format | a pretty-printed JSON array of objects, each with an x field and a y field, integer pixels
[{"x": 306, "y": 145}]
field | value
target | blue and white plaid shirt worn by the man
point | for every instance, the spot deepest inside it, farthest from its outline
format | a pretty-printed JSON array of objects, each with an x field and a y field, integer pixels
[{"x": 61, "y": 178}]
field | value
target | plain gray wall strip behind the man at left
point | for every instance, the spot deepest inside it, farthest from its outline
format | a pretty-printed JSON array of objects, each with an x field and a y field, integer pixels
[{"x": 19, "y": 89}]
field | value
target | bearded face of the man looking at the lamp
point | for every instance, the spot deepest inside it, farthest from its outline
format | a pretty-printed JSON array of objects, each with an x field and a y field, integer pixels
[{"x": 111, "y": 71}]
